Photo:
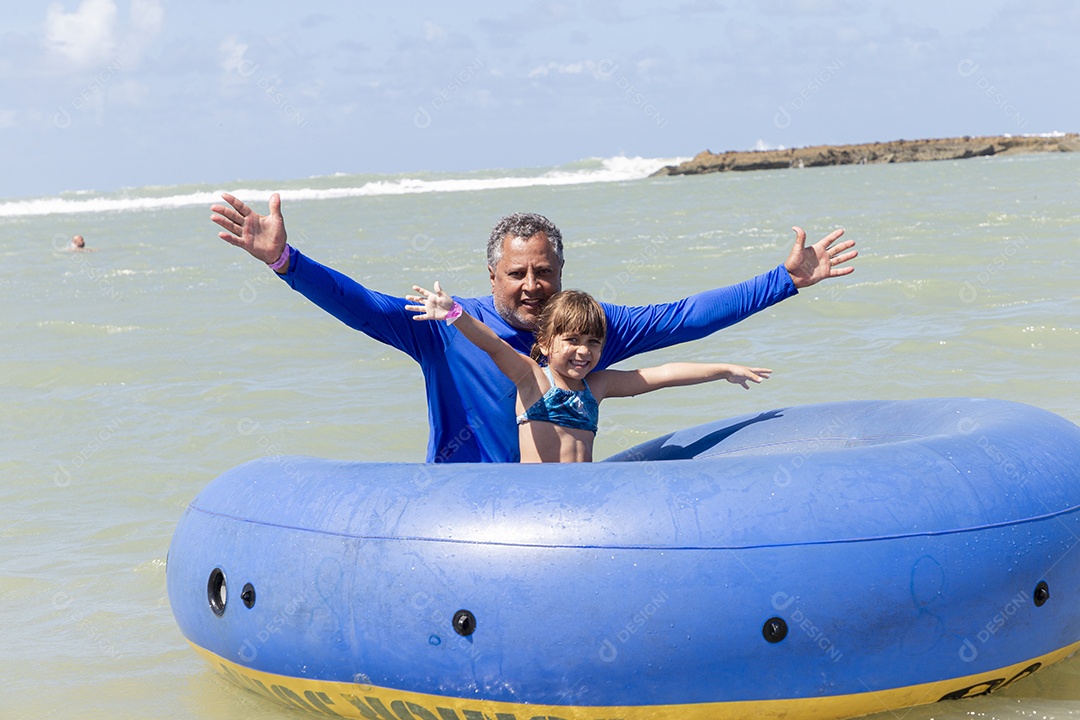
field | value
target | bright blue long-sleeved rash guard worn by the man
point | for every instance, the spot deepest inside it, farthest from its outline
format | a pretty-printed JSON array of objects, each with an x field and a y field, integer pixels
[{"x": 470, "y": 402}]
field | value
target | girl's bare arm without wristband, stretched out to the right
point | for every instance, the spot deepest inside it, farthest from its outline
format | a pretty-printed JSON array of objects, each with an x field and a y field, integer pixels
[{"x": 627, "y": 384}]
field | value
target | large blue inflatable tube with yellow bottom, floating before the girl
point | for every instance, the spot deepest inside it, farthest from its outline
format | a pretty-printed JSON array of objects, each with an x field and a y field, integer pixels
[{"x": 820, "y": 562}]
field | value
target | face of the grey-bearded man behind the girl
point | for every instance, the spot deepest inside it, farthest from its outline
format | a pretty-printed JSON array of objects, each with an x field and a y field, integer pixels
[{"x": 528, "y": 275}]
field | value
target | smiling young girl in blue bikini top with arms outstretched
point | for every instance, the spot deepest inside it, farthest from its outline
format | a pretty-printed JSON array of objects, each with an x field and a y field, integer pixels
[{"x": 557, "y": 409}]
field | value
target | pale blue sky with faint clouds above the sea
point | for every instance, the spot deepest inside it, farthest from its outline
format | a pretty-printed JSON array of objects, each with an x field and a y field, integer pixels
[{"x": 111, "y": 94}]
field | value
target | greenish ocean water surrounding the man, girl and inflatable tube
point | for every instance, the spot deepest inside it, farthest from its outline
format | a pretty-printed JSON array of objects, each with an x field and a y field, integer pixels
[{"x": 136, "y": 374}]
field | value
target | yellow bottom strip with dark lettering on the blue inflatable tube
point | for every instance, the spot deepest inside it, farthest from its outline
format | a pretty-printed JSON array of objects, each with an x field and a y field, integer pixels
[{"x": 350, "y": 700}]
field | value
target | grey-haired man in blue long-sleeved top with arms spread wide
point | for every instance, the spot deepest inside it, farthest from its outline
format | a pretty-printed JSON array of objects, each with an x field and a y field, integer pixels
[{"x": 470, "y": 402}]
